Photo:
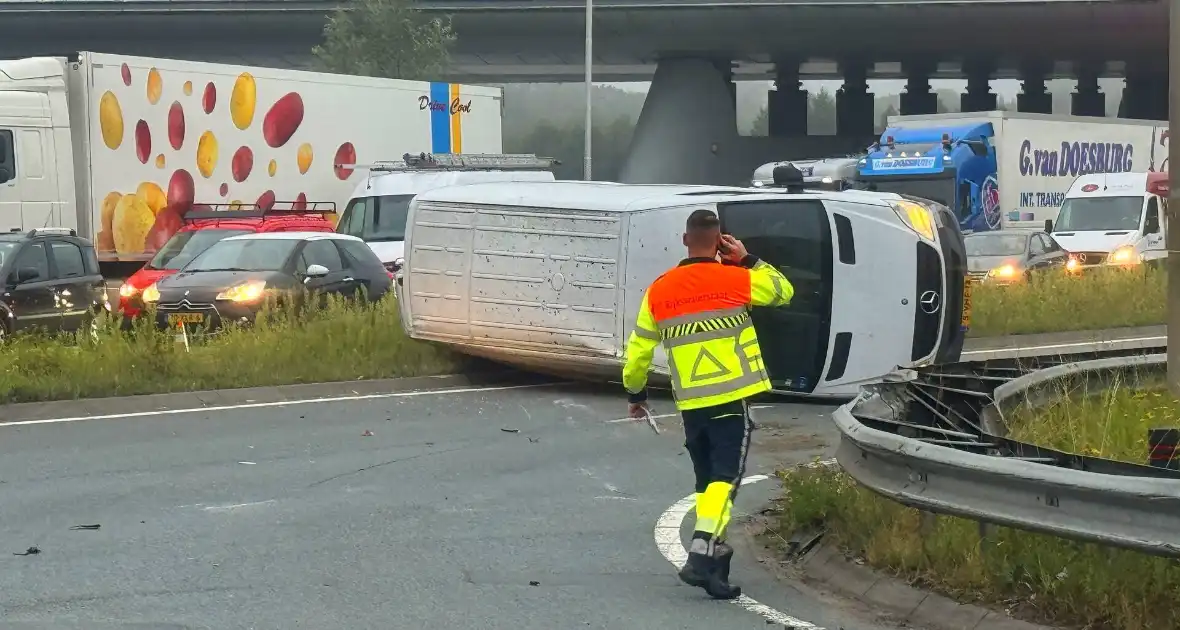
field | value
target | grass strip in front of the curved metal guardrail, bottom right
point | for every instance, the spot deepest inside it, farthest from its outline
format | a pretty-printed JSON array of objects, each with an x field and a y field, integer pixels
[{"x": 1038, "y": 577}]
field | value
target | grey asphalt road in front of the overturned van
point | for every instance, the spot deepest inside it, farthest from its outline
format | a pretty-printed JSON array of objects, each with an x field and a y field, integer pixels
[{"x": 290, "y": 517}]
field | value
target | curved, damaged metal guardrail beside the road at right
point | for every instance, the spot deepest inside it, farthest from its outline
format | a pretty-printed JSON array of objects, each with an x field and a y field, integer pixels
[{"x": 935, "y": 439}]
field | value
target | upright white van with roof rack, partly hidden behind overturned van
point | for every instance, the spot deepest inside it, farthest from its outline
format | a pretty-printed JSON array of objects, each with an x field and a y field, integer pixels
[{"x": 378, "y": 209}]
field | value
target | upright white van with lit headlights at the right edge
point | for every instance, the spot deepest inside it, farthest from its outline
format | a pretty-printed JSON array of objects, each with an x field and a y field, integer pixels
[{"x": 1115, "y": 219}]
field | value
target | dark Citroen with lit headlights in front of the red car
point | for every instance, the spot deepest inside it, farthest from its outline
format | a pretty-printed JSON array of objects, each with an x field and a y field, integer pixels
[{"x": 233, "y": 280}]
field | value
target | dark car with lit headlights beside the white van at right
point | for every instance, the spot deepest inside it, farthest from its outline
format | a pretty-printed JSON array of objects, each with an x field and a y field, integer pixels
[{"x": 1008, "y": 257}]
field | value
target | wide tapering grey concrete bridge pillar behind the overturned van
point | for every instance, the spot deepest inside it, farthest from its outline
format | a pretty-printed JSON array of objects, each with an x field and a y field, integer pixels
[{"x": 687, "y": 133}]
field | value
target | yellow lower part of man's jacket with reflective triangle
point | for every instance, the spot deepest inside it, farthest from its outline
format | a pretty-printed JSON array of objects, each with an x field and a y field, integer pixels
[{"x": 714, "y": 345}]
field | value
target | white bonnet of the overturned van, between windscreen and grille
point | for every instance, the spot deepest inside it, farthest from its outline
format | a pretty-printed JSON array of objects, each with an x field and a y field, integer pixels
[{"x": 873, "y": 299}]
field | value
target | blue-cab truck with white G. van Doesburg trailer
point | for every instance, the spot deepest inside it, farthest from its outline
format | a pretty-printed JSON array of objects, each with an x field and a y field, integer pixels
[{"x": 1005, "y": 169}]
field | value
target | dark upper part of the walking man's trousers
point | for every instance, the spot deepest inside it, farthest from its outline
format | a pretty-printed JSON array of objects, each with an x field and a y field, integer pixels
[{"x": 718, "y": 441}]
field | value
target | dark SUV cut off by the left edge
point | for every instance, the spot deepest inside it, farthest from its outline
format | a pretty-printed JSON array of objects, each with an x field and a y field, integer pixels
[{"x": 50, "y": 283}]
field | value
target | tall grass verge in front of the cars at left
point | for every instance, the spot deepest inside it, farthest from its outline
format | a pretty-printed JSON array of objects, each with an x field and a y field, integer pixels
[{"x": 338, "y": 344}]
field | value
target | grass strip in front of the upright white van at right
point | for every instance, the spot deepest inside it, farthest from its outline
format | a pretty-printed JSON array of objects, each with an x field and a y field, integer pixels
[{"x": 1053, "y": 304}]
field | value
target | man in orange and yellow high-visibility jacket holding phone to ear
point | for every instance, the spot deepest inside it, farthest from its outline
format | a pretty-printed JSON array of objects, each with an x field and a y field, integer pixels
[{"x": 700, "y": 312}]
